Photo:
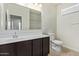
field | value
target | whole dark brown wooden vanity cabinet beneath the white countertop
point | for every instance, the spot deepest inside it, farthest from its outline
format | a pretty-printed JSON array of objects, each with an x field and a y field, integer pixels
[{"x": 32, "y": 47}]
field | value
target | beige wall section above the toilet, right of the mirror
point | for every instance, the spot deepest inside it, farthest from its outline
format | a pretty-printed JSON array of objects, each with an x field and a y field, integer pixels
[{"x": 49, "y": 16}]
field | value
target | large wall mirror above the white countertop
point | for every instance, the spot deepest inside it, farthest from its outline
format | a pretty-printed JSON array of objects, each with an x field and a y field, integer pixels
[{"x": 16, "y": 17}]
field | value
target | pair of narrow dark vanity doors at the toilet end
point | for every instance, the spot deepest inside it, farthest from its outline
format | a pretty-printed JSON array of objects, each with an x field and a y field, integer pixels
[{"x": 41, "y": 47}]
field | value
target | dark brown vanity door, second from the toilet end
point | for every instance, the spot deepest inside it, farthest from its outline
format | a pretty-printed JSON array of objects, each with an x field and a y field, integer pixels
[{"x": 37, "y": 47}]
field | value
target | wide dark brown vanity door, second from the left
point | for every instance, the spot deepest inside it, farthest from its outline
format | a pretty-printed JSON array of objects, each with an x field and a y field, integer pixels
[{"x": 24, "y": 48}]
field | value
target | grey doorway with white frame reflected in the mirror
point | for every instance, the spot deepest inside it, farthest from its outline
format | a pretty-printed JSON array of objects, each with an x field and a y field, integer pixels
[{"x": 15, "y": 22}]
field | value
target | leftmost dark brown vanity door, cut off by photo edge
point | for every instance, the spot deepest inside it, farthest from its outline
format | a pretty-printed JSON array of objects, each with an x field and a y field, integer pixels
[{"x": 7, "y": 50}]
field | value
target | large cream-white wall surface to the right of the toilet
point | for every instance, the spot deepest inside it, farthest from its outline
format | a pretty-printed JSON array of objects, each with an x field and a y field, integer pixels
[{"x": 67, "y": 30}]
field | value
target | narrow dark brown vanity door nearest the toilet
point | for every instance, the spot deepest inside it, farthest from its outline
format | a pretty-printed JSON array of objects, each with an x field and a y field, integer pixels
[{"x": 45, "y": 46}]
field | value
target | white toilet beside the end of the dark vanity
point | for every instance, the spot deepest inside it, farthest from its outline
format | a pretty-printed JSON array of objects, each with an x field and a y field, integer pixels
[{"x": 55, "y": 44}]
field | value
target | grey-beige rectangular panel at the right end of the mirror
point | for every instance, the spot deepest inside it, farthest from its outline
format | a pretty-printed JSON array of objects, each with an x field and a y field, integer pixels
[{"x": 35, "y": 19}]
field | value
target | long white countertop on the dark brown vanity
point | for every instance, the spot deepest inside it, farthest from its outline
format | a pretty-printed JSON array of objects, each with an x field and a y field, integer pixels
[{"x": 20, "y": 38}]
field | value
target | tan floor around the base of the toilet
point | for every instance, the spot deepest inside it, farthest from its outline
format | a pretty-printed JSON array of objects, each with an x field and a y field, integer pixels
[{"x": 64, "y": 52}]
